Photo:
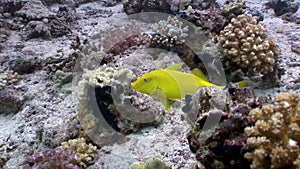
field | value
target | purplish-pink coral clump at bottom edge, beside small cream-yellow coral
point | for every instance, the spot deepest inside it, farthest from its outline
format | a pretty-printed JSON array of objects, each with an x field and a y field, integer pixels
[{"x": 53, "y": 158}]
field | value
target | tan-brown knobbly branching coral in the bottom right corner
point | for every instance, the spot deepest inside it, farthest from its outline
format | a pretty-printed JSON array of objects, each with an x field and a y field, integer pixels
[{"x": 275, "y": 136}]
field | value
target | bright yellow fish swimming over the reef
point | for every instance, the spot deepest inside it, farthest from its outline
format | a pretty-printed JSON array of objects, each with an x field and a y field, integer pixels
[{"x": 171, "y": 84}]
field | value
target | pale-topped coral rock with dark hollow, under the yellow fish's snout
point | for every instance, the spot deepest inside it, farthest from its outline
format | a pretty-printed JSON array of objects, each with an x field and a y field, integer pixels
[{"x": 110, "y": 88}]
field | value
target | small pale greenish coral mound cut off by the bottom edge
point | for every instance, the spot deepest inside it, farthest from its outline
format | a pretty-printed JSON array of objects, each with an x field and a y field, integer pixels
[{"x": 151, "y": 163}]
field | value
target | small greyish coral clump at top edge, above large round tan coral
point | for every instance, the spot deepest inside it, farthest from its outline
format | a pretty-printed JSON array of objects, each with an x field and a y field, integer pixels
[{"x": 233, "y": 8}]
